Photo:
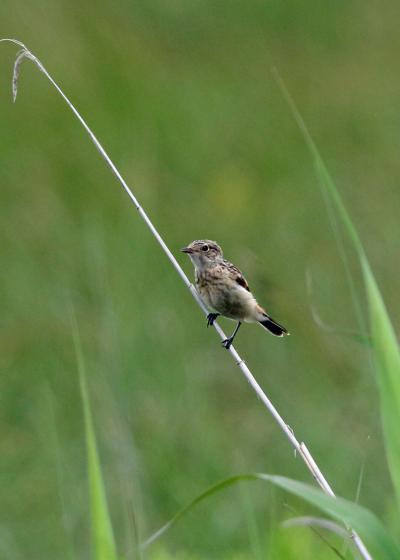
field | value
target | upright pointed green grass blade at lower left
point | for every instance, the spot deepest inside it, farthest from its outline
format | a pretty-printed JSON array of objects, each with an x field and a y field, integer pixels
[{"x": 102, "y": 533}]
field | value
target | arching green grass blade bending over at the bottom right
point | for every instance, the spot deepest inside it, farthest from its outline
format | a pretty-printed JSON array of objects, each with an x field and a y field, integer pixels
[{"x": 365, "y": 523}]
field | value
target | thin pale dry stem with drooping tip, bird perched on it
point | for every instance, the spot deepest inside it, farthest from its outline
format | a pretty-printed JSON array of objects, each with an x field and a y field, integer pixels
[{"x": 300, "y": 448}]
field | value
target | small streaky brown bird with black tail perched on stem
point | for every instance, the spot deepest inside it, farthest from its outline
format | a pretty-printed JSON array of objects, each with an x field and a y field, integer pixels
[{"x": 225, "y": 291}]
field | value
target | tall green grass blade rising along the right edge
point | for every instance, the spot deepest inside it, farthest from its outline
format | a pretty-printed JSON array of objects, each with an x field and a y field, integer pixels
[{"x": 384, "y": 342}]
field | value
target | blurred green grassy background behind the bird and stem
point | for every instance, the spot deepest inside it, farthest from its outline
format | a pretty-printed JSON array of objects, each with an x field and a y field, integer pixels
[{"x": 182, "y": 96}]
